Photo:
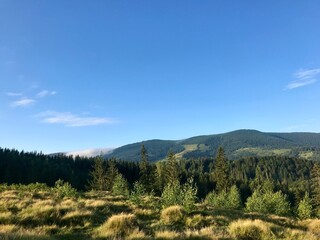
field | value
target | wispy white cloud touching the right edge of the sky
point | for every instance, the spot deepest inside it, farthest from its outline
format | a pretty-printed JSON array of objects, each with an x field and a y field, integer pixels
[{"x": 303, "y": 77}]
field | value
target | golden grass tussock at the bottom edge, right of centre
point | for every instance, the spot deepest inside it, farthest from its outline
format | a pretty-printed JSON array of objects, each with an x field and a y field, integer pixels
[{"x": 249, "y": 230}]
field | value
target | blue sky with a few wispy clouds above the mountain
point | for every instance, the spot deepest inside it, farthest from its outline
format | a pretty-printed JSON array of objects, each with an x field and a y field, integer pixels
[{"x": 87, "y": 74}]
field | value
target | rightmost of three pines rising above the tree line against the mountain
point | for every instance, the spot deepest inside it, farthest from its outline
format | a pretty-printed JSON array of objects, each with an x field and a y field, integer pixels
[{"x": 221, "y": 171}]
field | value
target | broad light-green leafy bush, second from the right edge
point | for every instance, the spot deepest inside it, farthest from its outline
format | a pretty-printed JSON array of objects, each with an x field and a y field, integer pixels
[{"x": 268, "y": 203}]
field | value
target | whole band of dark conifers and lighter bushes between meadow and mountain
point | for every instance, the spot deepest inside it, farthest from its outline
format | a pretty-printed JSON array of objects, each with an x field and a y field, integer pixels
[{"x": 275, "y": 181}]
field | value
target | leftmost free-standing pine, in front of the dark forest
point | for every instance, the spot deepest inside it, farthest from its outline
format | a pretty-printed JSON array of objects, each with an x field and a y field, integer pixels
[{"x": 98, "y": 175}]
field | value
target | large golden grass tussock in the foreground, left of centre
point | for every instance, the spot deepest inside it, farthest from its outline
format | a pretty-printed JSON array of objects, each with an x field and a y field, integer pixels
[{"x": 118, "y": 226}]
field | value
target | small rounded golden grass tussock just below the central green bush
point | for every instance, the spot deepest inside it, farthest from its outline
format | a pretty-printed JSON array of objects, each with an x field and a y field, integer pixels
[{"x": 173, "y": 215}]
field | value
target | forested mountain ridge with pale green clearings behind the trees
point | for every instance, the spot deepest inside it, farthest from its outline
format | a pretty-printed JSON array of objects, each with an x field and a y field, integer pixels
[{"x": 237, "y": 144}]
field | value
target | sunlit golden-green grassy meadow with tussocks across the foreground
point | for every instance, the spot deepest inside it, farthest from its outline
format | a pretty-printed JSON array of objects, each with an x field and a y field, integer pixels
[{"x": 44, "y": 214}]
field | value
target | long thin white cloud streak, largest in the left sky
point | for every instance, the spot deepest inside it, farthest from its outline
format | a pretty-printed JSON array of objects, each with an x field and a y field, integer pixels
[{"x": 72, "y": 120}]
